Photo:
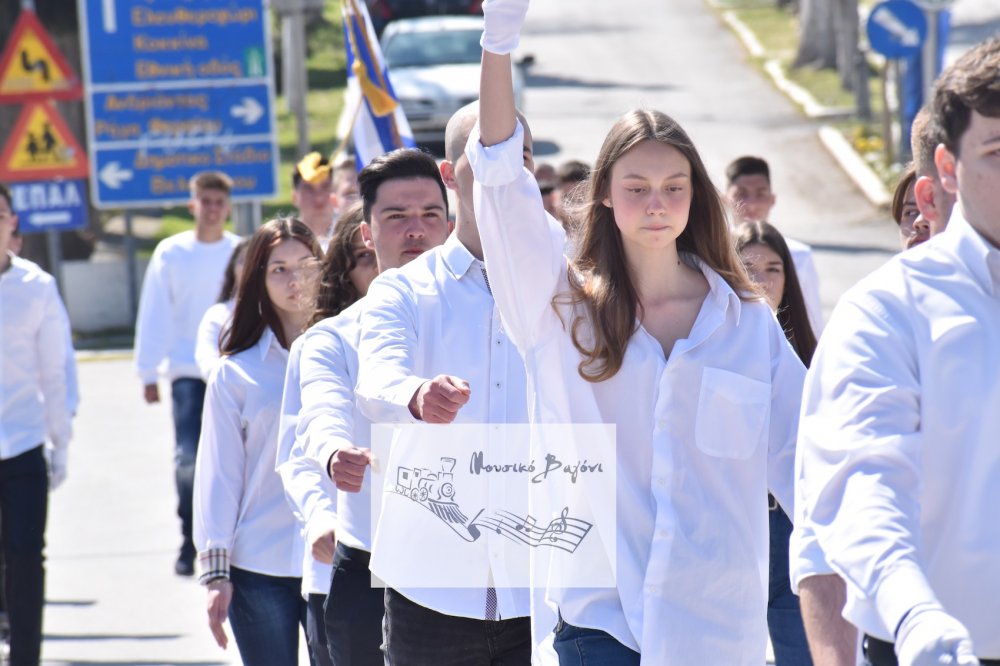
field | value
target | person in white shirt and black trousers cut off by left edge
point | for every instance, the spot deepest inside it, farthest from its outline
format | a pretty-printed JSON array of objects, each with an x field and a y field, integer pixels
[{"x": 33, "y": 410}]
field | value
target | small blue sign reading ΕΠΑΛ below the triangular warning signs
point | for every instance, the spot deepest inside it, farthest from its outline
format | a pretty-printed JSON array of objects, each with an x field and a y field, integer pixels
[{"x": 59, "y": 205}]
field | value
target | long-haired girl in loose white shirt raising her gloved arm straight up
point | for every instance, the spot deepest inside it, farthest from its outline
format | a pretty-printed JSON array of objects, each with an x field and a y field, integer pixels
[{"x": 656, "y": 328}]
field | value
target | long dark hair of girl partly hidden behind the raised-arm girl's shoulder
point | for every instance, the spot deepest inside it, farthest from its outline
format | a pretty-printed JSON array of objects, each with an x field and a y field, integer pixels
[{"x": 792, "y": 313}]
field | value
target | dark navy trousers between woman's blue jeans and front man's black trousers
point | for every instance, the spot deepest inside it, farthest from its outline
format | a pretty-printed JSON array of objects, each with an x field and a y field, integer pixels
[{"x": 354, "y": 611}]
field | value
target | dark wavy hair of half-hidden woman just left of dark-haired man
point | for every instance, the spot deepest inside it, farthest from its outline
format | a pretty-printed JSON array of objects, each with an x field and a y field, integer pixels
[{"x": 336, "y": 291}]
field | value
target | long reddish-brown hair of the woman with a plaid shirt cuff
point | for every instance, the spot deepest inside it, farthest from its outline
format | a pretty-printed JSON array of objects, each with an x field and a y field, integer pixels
[{"x": 254, "y": 310}]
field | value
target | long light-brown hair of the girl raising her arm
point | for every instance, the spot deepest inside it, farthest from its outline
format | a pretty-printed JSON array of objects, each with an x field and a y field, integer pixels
[{"x": 601, "y": 279}]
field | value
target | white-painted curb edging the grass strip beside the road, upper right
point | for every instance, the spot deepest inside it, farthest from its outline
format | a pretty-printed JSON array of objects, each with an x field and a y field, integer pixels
[{"x": 836, "y": 144}]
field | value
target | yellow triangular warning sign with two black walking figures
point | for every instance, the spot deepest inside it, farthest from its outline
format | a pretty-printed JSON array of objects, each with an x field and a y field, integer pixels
[{"x": 41, "y": 146}]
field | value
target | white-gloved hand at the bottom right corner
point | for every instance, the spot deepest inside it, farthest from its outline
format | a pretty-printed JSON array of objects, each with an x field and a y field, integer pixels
[{"x": 928, "y": 636}]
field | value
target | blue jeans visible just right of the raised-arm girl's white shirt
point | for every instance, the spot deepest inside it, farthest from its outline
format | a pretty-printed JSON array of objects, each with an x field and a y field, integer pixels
[{"x": 784, "y": 617}]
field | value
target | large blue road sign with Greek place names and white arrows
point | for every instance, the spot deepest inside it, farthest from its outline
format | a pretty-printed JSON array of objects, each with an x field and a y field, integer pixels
[{"x": 175, "y": 87}]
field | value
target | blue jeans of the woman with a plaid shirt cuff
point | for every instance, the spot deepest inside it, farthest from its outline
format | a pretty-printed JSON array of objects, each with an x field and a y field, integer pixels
[{"x": 265, "y": 616}]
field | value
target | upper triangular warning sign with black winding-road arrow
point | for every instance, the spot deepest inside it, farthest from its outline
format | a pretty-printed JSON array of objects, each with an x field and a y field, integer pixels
[{"x": 32, "y": 67}]
